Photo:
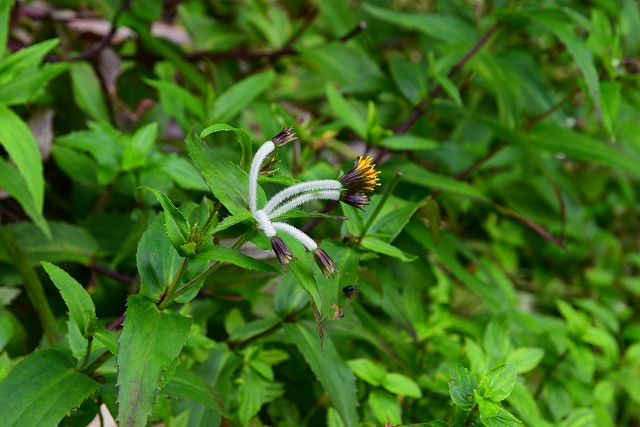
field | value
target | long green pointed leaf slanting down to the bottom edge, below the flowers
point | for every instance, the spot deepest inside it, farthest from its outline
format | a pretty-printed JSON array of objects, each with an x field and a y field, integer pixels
[{"x": 332, "y": 372}]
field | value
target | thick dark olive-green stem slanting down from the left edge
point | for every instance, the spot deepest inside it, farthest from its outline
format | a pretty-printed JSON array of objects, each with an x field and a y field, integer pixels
[{"x": 32, "y": 284}]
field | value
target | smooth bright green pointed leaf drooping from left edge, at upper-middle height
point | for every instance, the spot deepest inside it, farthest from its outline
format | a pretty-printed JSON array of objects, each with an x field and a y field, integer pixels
[{"x": 17, "y": 140}]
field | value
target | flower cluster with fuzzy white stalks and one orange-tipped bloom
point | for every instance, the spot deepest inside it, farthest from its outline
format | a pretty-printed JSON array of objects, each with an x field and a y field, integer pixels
[{"x": 350, "y": 188}]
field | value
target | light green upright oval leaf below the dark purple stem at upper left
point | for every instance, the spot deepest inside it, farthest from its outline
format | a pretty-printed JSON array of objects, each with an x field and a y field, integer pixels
[{"x": 87, "y": 91}]
